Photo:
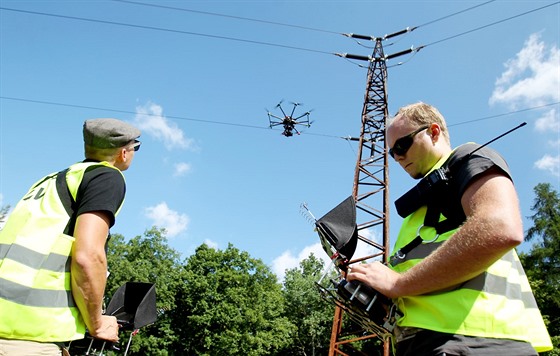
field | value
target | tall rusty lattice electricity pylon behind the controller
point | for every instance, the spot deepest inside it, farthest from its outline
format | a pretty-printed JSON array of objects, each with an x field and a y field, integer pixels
[{"x": 371, "y": 178}]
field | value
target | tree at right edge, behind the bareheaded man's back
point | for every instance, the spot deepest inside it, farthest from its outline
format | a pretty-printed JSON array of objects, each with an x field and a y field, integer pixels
[{"x": 542, "y": 262}]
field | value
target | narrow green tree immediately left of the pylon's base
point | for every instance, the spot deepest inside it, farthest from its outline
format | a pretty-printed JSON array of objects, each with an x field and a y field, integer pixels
[{"x": 307, "y": 310}]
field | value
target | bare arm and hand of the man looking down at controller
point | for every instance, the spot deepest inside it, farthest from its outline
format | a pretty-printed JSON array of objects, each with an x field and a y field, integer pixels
[{"x": 492, "y": 228}]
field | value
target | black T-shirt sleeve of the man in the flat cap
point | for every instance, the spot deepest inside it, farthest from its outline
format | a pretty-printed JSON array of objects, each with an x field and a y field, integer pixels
[{"x": 102, "y": 189}]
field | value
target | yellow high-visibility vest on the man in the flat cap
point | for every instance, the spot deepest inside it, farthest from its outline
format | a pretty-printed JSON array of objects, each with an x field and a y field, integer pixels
[{"x": 36, "y": 300}]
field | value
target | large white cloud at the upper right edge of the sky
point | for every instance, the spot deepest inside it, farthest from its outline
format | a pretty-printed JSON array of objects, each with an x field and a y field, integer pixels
[{"x": 532, "y": 77}]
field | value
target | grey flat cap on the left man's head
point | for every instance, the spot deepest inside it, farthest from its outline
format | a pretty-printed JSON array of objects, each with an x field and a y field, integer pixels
[{"x": 109, "y": 133}]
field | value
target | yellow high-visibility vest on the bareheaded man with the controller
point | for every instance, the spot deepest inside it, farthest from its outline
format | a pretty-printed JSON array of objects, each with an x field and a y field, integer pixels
[{"x": 498, "y": 303}]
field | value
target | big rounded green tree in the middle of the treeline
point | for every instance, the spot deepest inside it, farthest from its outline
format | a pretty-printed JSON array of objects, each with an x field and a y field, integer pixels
[{"x": 229, "y": 304}]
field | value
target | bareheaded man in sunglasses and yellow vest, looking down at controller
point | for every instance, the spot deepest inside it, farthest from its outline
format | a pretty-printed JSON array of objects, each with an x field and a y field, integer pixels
[{"x": 454, "y": 274}]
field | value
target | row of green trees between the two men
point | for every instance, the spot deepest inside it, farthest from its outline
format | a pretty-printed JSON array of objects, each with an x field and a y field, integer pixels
[{"x": 222, "y": 302}]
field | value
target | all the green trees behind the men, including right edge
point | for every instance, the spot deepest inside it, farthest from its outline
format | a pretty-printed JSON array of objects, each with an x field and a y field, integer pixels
[{"x": 225, "y": 302}]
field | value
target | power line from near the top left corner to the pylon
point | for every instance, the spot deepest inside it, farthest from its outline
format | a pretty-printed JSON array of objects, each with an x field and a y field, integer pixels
[{"x": 164, "y": 30}]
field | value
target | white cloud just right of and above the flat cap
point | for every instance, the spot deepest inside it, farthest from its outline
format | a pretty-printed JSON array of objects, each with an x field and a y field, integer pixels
[{"x": 149, "y": 118}]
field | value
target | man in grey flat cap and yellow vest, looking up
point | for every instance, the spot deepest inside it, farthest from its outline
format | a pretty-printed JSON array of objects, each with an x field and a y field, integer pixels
[{"x": 53, "y": 265}]
